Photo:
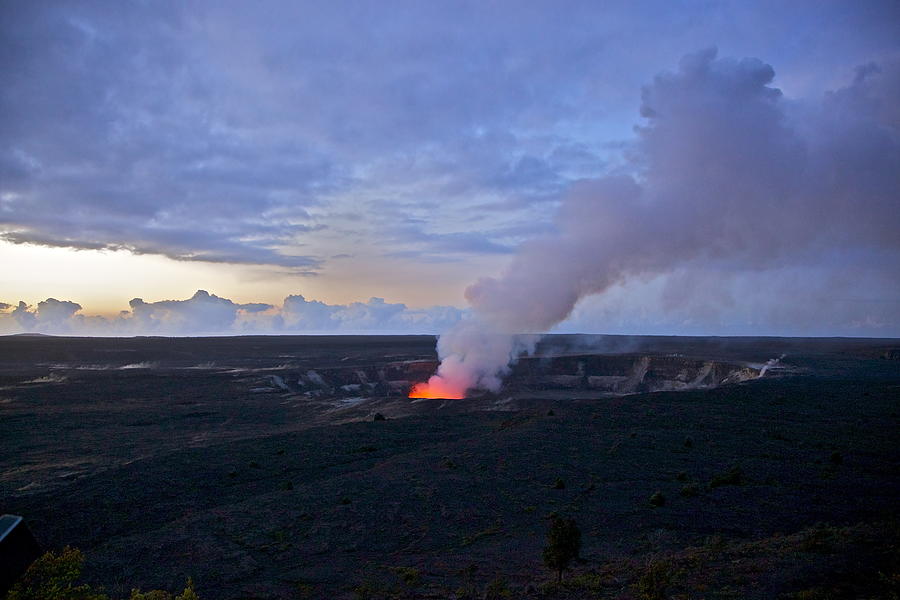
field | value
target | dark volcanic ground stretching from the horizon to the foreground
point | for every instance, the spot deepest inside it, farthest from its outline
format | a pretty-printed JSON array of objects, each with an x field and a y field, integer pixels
[{"x": 254, "y": 466}]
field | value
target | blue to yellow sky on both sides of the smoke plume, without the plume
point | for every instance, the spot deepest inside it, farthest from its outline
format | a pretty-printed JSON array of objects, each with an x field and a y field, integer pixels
[{"x": 402, "y": 150}]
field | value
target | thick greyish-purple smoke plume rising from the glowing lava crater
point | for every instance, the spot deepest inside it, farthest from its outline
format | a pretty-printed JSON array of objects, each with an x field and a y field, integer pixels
[{"x": 726, "y": 173}]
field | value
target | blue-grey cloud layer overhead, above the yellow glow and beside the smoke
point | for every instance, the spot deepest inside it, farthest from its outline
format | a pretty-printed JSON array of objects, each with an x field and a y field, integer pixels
[{"x": 226, "y": 133}]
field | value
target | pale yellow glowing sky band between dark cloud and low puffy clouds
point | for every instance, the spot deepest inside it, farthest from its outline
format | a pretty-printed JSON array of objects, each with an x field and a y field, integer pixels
[{"x": 103, "y": 282}]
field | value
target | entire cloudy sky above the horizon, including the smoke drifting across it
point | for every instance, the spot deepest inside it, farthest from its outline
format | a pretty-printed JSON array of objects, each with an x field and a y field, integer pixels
[{"x": 697, "y": 167}]
